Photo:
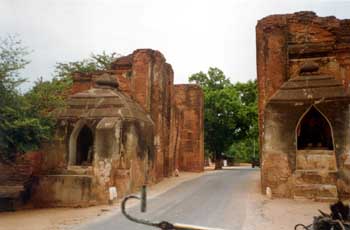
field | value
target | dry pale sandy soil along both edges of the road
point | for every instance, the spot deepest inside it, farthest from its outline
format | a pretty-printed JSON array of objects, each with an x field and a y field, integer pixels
[{"x": 261, "y": 213}]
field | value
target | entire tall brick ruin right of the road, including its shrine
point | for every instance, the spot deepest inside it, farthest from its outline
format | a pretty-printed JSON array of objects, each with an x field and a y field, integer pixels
[{"x": 303, "y": 66}]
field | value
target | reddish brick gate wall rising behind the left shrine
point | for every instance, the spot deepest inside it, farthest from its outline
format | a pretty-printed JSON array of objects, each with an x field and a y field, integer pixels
[{"x": 146, "y": 77}]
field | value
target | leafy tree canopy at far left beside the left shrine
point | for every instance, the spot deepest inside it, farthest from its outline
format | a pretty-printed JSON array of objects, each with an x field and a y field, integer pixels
[{"x": 25, "y": 119}]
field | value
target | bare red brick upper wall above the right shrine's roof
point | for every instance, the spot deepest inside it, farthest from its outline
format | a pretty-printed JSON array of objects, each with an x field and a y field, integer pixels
[{"x": 284, "y": 42}]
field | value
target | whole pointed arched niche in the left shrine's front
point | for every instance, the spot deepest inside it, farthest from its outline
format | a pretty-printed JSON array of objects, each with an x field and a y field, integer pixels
[{"x": 81, "y": 144}]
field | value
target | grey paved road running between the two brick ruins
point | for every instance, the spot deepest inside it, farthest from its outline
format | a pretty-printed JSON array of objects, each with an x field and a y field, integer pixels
[{"x": 217, "y": 199}]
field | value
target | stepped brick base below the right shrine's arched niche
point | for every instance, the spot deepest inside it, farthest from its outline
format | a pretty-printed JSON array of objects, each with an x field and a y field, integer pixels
[{"x": 315, "y": 177}]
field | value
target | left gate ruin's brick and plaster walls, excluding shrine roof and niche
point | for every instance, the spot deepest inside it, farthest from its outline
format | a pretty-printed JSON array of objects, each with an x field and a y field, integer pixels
[{"x": 146, "y": 78}]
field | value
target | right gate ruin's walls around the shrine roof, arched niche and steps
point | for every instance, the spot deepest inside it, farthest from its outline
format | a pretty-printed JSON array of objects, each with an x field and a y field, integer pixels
[{"x": 284, "y": 43}]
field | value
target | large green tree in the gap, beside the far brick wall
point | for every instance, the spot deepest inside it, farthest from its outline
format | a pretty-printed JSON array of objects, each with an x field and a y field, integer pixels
[{"x": 225, "y": 116}]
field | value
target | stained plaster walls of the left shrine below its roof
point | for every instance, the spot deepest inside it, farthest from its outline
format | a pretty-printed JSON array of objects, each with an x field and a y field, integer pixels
[{"x": 124, "y": 167}]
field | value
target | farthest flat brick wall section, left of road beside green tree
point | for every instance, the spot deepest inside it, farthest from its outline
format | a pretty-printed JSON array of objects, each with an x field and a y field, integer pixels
[{"x": 188, "y": 134}]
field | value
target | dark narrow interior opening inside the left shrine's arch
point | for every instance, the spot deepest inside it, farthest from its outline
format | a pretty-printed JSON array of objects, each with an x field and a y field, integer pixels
[{"x": 85, "y": 143}]
